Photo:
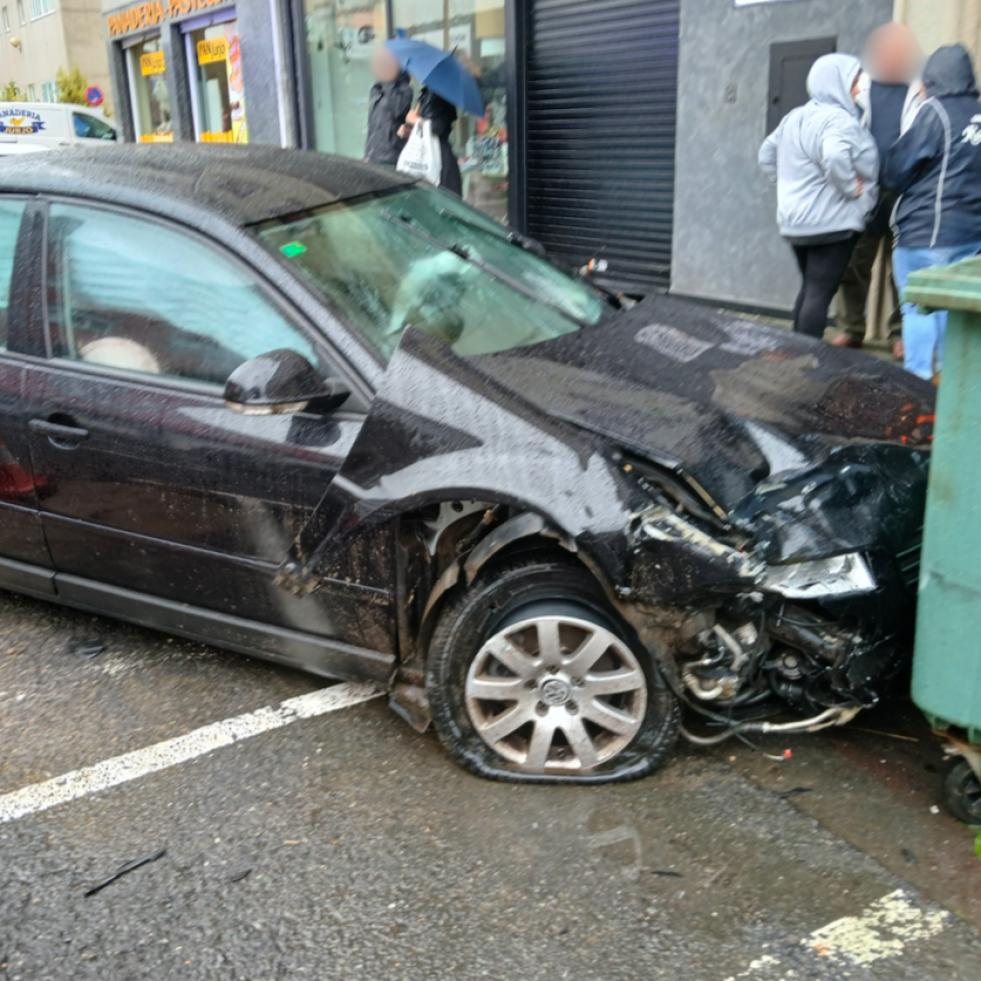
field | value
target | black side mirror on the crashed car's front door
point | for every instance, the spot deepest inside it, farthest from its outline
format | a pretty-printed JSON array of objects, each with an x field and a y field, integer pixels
[{"x": 281, "y": 382}]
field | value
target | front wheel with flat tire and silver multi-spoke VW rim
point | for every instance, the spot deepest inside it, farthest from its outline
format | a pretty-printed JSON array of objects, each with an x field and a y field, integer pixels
[{"x": 532, "y": 676}]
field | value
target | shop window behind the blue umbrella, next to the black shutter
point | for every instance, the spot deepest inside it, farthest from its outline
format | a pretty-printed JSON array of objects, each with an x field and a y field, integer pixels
[{"x": 474, "y": 31}]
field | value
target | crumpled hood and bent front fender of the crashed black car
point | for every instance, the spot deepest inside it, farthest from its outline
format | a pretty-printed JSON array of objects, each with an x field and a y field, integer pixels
[{"x": 812, "y": 450}]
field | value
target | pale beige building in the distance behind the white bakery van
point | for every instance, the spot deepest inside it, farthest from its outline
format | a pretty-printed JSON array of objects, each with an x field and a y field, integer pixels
[{"x": 40, "y": 36}]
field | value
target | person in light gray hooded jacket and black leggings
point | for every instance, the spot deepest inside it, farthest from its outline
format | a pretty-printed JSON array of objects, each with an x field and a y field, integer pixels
[{"x": 826, "y": 165}]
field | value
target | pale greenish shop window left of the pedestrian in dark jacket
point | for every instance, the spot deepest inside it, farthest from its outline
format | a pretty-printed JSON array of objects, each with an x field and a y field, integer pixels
[{"x": 341, "y": 36}]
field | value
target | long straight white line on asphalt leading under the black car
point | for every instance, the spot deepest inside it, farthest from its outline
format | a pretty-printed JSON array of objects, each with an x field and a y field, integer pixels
[{"x": 132, "y": 766}]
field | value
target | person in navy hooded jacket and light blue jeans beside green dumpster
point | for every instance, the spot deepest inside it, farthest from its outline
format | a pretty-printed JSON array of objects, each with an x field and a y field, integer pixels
[{"x": 936, "y": 167}]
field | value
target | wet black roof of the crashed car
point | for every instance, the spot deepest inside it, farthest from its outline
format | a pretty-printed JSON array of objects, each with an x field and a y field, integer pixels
[{"x": 242, "y": 184}]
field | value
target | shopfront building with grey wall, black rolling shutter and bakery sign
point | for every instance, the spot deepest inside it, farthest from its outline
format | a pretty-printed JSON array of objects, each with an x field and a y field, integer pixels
[{"x": 619, "y": 130}]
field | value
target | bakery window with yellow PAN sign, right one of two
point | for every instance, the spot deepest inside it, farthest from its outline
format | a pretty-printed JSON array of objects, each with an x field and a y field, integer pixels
[{"x": 215, "y": 56}]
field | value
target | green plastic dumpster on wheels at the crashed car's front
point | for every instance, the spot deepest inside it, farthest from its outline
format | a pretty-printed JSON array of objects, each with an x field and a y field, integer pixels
[{"x": 947, "y": 659}]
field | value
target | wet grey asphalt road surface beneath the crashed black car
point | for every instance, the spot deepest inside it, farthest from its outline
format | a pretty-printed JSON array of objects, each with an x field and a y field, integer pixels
[{"x": 348, "y": 846}]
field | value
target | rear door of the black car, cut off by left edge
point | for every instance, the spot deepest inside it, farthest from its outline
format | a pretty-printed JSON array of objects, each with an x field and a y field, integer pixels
[{"x": 24, "y": 559}]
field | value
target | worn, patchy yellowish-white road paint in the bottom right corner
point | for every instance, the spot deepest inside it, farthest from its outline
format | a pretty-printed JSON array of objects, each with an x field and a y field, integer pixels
[{"x": 882, "y": 930}]
